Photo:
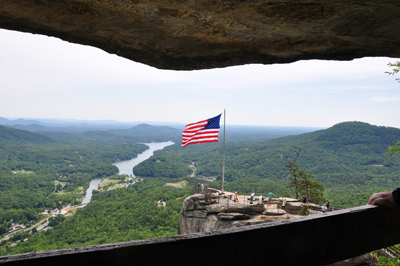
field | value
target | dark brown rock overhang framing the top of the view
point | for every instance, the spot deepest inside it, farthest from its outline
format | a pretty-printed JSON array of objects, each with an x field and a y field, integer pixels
[{"x": 188, "y": 35}]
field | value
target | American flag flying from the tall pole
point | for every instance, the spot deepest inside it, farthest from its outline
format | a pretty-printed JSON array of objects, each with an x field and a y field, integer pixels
[{"x": 201, "y": 132}]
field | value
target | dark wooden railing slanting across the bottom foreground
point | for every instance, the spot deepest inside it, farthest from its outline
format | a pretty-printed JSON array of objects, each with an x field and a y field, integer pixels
[{"x": 318, "y": 239}]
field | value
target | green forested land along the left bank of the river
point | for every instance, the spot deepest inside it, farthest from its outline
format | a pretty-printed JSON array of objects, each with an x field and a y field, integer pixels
[{"x": 38, "y": 172}]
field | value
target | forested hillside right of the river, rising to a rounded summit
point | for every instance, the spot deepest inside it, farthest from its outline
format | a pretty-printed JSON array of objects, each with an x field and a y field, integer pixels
[{"x": 347, "y": 158}]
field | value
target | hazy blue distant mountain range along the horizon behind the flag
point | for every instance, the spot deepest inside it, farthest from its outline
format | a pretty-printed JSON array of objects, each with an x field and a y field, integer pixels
[{"x": 85, "y": 129}]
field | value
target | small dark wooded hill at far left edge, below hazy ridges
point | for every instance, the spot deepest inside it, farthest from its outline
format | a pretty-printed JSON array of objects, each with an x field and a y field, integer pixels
[{"x": 10, "y": 136}]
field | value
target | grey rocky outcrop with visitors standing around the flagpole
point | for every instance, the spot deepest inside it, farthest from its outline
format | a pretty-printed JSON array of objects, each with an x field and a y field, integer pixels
[{"x": 202, "y": 212}]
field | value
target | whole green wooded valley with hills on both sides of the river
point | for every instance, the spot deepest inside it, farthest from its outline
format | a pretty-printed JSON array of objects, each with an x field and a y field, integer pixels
[{"x": 348, "y": 159}]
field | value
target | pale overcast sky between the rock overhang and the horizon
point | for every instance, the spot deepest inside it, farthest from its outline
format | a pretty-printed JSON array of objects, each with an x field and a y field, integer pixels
[{"x": 44, "y": 77}]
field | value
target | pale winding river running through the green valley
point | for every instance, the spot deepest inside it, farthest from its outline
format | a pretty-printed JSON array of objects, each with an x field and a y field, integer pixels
[{"x": 126, "y": 167}]
